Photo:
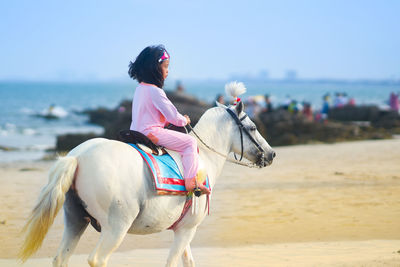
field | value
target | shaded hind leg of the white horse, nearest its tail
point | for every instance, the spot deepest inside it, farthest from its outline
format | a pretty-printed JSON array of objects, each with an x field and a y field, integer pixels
[{"x": 74, "y": 226}]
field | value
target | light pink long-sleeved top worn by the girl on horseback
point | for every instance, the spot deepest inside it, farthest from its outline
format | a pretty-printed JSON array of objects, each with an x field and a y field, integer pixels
[{"x": 152, "y": 109}]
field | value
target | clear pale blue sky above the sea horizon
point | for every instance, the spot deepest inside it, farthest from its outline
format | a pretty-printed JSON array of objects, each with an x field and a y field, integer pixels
[{"x": 95, "y": 40}]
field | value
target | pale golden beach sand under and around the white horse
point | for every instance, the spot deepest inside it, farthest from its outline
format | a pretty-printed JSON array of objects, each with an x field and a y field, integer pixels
[{"x": 317, "y": 205}]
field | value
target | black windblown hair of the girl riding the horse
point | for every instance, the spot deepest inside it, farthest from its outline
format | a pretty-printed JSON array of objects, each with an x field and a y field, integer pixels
[{"x": 147, "y": 67}]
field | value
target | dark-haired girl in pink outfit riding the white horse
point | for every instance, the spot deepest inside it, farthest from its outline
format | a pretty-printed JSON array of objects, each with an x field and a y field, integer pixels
[{"x": 152, "y": 110}]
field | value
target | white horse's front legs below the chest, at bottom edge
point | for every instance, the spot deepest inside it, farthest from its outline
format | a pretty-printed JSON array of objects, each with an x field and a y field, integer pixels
[{"x": 182, "y": 239}]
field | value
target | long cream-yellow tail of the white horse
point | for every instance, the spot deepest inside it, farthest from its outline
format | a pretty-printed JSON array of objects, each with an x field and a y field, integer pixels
[{"x": 51, "y": 199}]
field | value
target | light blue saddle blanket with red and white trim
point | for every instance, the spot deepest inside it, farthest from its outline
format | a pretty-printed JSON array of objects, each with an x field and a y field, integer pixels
[{"x": 167, "y": 177}]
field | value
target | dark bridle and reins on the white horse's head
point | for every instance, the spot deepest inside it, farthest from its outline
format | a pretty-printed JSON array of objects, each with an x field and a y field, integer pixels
[{"x": 241, "y": 130}]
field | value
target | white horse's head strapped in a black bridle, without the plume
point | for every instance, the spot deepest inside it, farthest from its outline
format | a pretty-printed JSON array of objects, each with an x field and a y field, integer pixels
[{"x": 246, "y": 141}]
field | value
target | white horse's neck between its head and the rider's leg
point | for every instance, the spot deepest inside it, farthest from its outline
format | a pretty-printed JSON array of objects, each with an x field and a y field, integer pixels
[{"x": 217, "y": 136}]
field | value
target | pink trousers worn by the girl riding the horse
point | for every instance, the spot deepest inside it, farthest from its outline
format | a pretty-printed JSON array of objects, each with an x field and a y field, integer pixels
[{"x": 184, "y": 144}]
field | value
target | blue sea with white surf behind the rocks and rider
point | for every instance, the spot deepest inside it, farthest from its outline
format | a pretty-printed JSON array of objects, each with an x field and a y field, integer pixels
[{"x": 27, "y": 134}]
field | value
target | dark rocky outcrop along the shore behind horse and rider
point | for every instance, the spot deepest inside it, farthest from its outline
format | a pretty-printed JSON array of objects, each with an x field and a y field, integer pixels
[{"x": 280, "y": 127}]
